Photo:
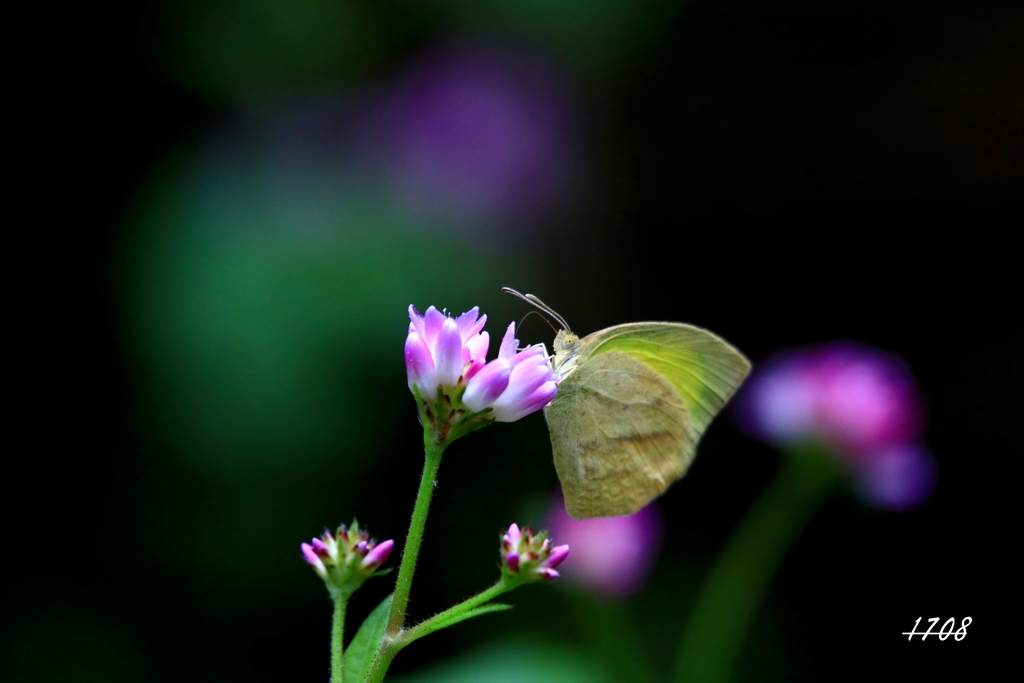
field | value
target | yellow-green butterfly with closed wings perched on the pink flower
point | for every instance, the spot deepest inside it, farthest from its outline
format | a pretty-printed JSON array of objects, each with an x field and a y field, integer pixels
[{"x": 633, "y": 402}]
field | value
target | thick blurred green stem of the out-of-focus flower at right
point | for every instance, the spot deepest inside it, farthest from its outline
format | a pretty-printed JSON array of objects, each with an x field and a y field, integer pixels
[{"x": 748, "y": 566}]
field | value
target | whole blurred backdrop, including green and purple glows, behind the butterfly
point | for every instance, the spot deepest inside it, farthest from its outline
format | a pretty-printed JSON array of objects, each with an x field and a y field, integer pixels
[{"x": 230, "y": 206}]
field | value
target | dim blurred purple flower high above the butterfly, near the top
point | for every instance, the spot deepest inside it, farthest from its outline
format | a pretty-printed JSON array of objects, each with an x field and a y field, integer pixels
[{"x": 475, "y": 134}]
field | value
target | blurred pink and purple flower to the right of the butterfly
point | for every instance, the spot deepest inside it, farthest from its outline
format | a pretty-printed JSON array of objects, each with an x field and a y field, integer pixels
[{"x": 858, "y": 402}]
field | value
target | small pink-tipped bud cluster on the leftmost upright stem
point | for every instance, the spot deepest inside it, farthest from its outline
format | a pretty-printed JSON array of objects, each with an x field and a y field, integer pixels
[{"x": 348, "y": 560}]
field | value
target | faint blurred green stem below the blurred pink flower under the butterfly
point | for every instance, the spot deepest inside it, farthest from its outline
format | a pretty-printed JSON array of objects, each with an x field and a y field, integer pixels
[{"x": 613, "y": 633}]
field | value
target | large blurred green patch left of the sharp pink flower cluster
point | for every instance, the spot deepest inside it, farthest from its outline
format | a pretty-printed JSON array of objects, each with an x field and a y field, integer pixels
[{"x": 267, "y": 315}]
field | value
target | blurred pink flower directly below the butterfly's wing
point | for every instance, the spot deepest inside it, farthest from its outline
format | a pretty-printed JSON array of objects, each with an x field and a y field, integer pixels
[{"x": 611, "y": 556}]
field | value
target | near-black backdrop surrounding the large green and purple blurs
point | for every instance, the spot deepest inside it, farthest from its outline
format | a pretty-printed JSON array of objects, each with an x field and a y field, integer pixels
[{"x": 782, "y": 174}]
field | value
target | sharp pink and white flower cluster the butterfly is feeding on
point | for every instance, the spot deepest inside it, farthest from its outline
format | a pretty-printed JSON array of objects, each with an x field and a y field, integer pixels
[{"x": 450, "y": 355}]
